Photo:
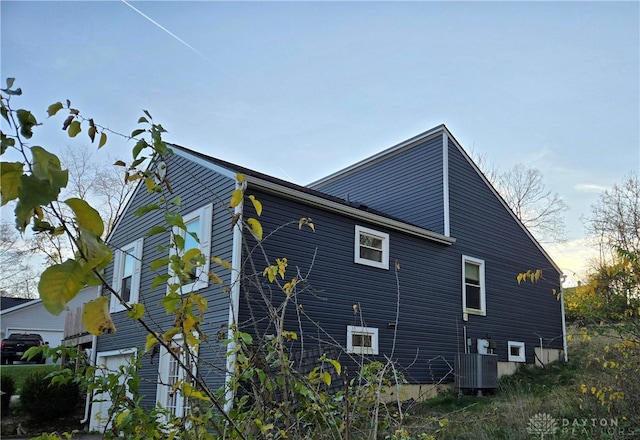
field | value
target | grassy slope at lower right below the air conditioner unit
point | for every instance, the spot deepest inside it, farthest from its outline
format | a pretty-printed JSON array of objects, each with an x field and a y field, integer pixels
[{"x": 506, "y": 414}]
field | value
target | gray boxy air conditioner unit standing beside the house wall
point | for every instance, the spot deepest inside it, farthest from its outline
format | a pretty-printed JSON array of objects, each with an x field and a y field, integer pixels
[{"x": 476, "y": 371}]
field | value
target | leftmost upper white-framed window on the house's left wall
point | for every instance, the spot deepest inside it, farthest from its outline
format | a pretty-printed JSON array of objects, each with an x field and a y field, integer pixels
[{"x": 127, "y": 267}]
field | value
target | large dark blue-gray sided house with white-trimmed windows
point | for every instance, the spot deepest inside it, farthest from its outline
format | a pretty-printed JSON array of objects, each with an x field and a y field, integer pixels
[{"x": 414, "y": 257}]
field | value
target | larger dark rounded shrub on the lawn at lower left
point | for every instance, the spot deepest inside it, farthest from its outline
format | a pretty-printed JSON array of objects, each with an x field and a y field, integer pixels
[{"x": 43, "y": 399}]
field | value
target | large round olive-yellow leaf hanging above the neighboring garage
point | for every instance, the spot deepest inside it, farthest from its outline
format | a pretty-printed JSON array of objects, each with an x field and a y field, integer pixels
[{"x": 59, "y": 284}]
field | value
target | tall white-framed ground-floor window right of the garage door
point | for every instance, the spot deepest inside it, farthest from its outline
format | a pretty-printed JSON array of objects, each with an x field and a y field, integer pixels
[{"x": 171, "y": 375}]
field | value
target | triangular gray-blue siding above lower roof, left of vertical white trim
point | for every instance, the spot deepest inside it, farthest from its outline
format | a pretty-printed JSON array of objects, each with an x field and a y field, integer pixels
[{"x": 406, "y": 185}]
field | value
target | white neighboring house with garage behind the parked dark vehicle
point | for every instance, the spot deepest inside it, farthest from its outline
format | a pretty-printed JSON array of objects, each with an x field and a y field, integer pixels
[{"x": 19, "y": 315}]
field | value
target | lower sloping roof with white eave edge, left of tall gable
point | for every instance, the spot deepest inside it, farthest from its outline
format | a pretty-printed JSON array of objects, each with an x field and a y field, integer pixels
[{"x": 317, "y": 198}]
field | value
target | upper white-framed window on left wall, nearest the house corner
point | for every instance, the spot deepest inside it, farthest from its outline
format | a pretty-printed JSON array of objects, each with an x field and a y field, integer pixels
[{"x": 197, "y": 236}]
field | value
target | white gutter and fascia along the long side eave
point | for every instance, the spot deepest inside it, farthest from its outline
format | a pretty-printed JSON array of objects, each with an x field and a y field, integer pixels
[{"x": 349, "y": 211}]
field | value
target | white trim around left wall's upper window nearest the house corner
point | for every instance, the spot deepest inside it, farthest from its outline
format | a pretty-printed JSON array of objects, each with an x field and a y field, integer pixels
[{"x": 205, "y": 215}]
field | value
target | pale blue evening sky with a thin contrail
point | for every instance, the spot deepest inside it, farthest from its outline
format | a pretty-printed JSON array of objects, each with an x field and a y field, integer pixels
[{"x": 299, "y": 90}]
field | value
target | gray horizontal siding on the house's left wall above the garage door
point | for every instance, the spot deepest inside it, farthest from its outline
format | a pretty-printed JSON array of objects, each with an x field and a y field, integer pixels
[{"x": 197, "y": 187}]
